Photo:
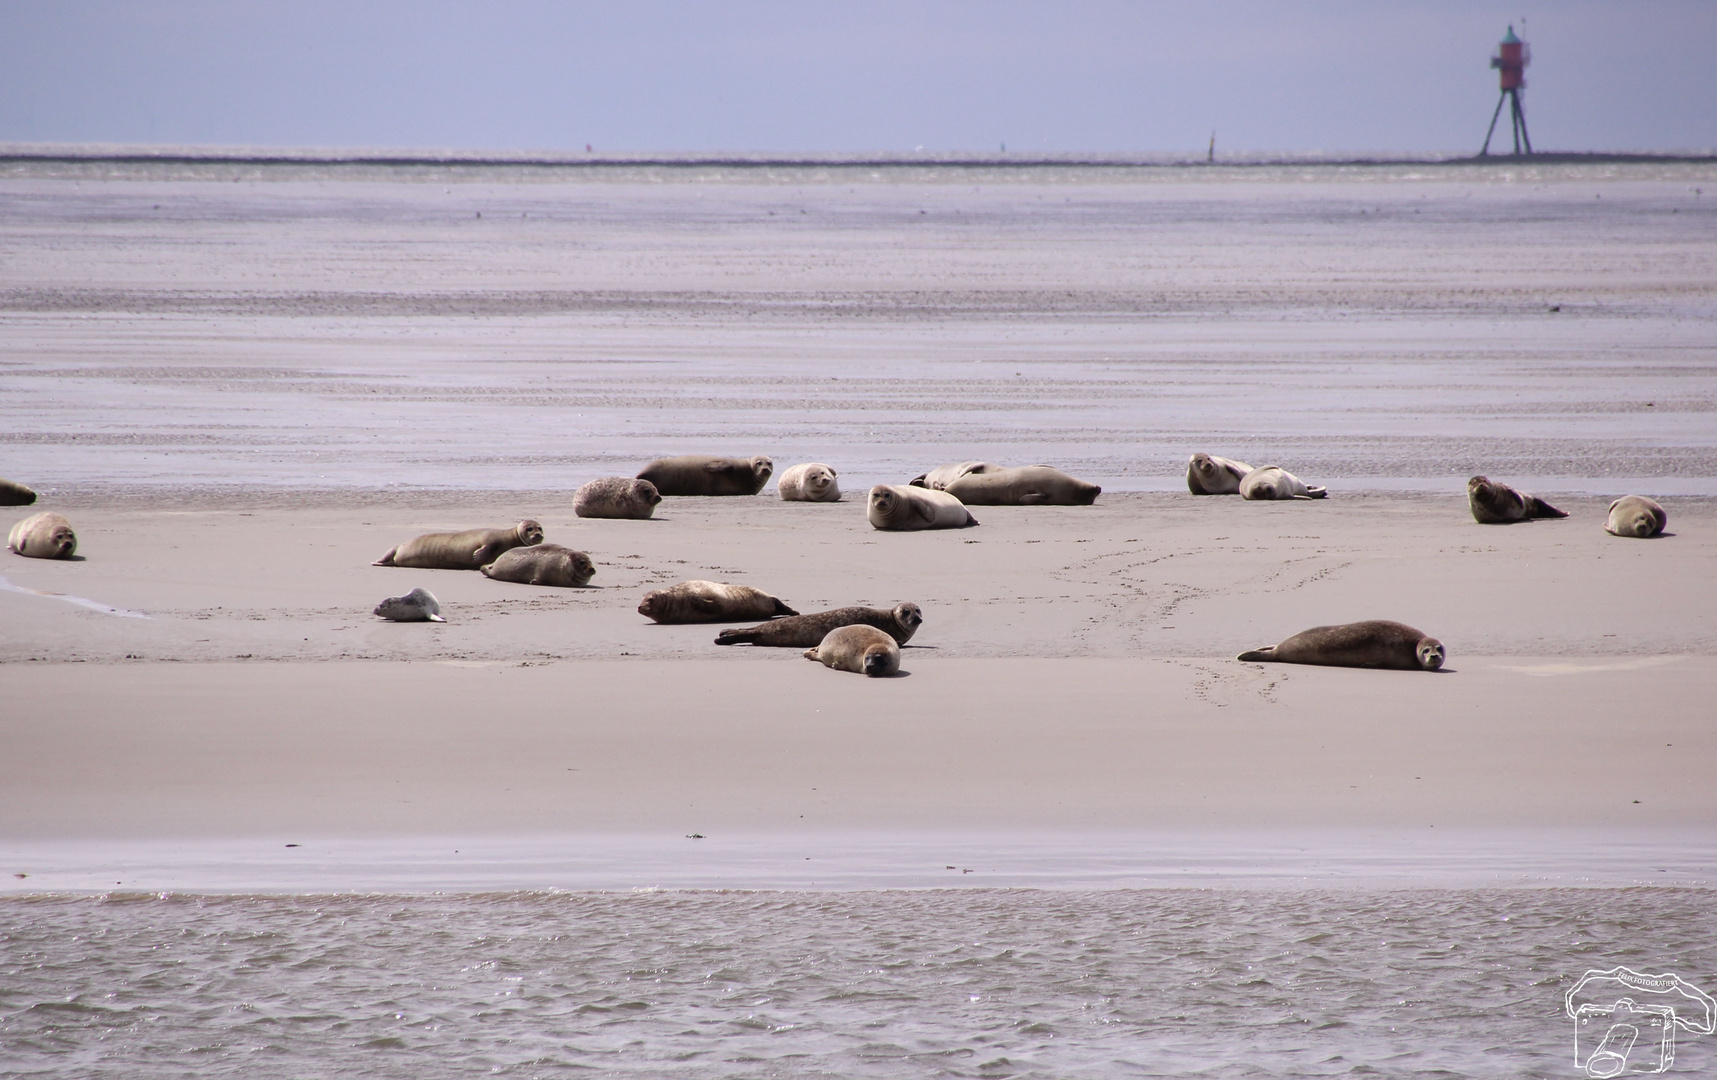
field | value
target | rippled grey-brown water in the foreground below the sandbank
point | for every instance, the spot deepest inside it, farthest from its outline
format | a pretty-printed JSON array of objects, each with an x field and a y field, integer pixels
[{"x": 830, "y": 985}]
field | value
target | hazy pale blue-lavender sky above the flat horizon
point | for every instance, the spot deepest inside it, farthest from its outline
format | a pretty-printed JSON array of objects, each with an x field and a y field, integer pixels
[{"x": 839, "y": 76}]
